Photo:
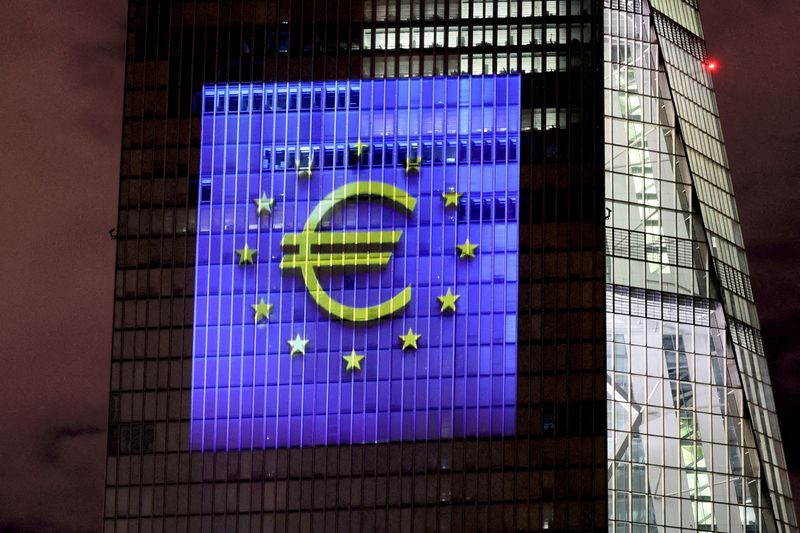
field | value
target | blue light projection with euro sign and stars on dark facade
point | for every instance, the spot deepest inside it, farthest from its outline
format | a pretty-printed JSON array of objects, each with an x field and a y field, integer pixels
[{"x": 357, "y": 259}]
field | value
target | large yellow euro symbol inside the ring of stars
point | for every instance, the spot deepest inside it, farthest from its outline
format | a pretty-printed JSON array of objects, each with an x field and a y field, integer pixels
[{"x": 357, "y": 249}]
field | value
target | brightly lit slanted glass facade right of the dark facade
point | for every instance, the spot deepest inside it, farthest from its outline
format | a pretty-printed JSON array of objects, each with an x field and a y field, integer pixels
[{"x": 693, "y": 443}]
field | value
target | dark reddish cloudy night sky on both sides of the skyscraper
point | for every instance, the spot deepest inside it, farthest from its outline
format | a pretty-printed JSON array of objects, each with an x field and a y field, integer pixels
[{"x": 60, "y": 105}]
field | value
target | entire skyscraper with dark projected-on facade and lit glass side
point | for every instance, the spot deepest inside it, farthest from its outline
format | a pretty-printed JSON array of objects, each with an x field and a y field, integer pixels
[{"x": 432, "y": 265}]
